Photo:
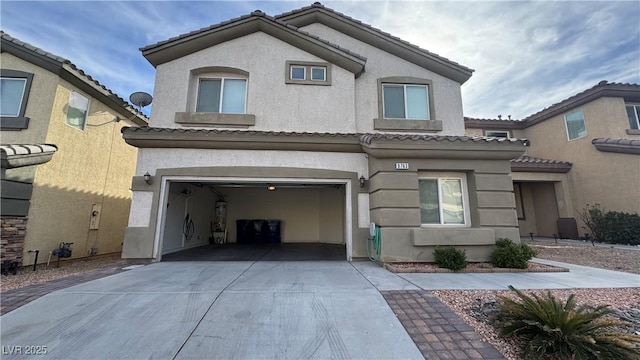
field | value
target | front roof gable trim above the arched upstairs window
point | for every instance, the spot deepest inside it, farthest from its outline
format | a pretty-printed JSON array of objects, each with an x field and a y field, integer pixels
[{"x": 257, "y": 21}]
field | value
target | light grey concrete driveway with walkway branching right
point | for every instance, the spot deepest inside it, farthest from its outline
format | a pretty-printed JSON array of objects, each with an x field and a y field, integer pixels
[{"x": 268, "y": 310}]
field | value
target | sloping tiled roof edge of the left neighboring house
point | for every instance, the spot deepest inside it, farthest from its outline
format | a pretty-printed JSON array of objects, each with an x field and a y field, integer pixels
[{"x": 71, "y": 73}]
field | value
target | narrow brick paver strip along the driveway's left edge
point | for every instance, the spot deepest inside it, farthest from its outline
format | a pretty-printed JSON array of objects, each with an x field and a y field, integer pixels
[{"x": 13, "y": 299}]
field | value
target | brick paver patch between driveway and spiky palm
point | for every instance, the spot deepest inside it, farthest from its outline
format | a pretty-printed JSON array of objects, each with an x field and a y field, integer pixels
[{"x": 437, "y": 331}]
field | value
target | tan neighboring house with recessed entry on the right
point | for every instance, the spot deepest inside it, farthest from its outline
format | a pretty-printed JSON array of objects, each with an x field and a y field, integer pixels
[{"x": 584, "y": 150}]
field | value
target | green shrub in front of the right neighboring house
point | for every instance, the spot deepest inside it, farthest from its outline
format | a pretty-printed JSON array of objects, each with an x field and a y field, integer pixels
[{"x": 611, "y": 226}]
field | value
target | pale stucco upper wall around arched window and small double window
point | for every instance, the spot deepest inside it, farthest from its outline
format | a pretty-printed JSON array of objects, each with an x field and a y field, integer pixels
[{"x": 277, "y": 106}]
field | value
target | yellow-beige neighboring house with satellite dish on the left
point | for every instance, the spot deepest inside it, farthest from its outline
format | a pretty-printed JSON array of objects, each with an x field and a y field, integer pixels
[{"x": 79, "y": 193}]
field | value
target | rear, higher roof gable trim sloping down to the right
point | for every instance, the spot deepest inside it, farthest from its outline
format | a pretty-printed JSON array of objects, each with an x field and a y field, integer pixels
[{"x": 317, "y": 13}]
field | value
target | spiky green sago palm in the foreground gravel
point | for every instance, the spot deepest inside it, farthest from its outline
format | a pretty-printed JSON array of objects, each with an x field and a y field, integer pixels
[{"x": 565, "y": 331}]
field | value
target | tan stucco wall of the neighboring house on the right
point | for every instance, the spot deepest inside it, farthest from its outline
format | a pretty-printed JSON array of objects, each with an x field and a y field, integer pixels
[{"x": 596, "y": 177}]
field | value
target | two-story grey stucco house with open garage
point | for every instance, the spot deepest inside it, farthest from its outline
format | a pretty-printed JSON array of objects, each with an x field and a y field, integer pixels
[{"x": 344, "y": 123}]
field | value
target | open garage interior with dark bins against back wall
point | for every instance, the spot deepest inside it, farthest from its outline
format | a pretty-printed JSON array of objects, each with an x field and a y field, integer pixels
[{"x": 217, "y": 221}]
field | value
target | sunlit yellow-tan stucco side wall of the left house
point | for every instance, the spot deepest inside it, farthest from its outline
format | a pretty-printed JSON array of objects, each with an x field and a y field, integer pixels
[{"x": 93, "y": 166}]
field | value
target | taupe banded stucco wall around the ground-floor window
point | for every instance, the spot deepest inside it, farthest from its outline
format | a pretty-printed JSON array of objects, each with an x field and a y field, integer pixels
[{"x": 490, "y": 202}]
